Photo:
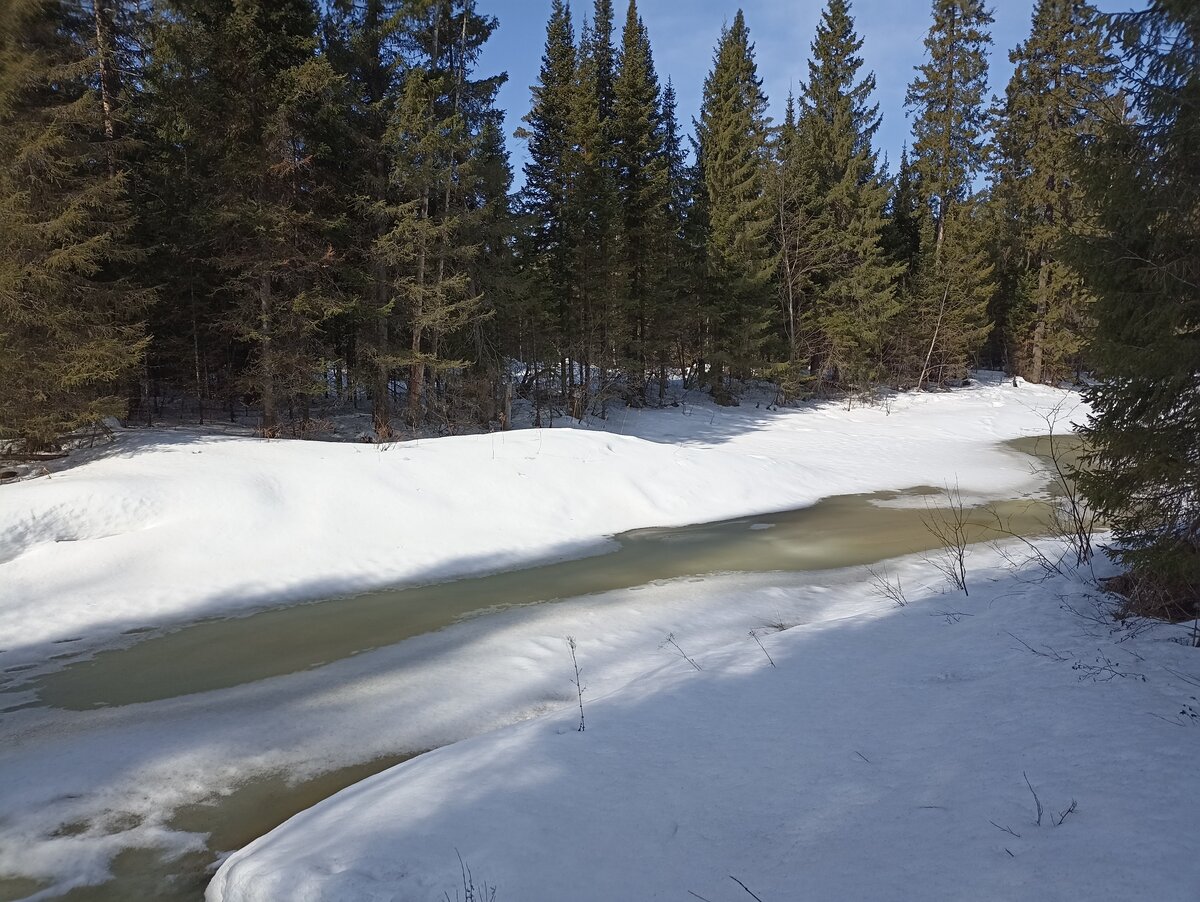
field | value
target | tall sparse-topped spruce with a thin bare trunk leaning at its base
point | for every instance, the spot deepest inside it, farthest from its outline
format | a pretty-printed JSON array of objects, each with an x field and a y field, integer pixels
[{"x": 946, "y": 310}]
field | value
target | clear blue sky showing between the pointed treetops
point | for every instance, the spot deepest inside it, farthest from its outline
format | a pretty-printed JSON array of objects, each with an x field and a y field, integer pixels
[{"x": 683, "y": 34}]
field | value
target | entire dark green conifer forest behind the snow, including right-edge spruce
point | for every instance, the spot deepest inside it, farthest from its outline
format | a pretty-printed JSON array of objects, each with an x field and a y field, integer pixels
[{"x": 265, "y": 211}]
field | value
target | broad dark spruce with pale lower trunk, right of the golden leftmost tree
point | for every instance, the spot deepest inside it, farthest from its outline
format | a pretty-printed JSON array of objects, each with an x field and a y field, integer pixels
[{"x": 253, "y": 110}]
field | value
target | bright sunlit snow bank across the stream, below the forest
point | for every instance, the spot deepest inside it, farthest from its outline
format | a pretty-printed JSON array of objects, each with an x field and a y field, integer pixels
[{"x": 173, "y": 526}]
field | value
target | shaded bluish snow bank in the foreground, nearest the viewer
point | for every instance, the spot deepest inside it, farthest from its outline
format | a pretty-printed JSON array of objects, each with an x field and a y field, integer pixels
[{"x": 885, "y": 756}]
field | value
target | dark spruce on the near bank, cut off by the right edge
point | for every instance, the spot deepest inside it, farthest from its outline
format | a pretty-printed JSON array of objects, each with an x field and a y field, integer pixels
[{"x": 1142, "y": 260}]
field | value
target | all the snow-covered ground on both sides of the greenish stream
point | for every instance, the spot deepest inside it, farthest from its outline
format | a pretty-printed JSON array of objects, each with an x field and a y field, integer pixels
[{"x": 683, "y": 777}]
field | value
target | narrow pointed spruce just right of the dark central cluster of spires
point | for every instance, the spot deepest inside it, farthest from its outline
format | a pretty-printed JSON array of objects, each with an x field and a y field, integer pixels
[{"x": 733, "y": 136}]
